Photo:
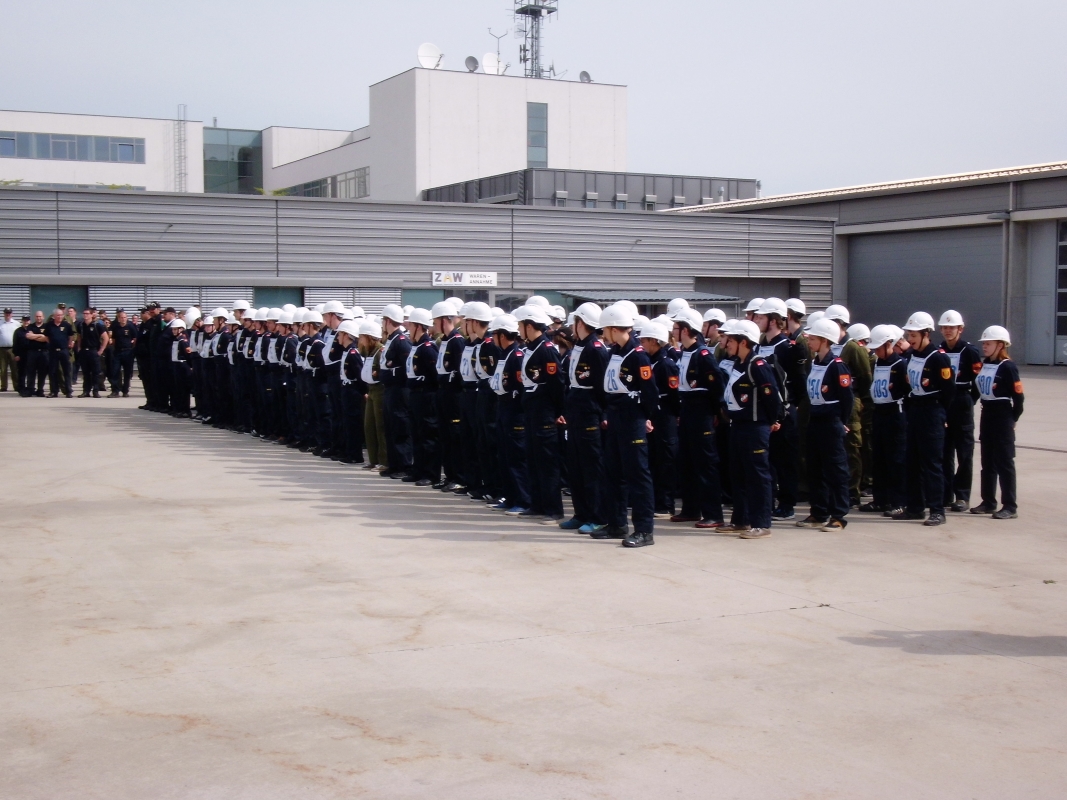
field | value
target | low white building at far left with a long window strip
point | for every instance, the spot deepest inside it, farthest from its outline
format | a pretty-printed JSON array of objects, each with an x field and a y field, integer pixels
[{"x": 86, "y": 151}]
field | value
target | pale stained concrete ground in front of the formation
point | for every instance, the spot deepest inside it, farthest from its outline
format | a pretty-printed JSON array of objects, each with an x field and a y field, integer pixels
[{"x": 193, "y": 614}]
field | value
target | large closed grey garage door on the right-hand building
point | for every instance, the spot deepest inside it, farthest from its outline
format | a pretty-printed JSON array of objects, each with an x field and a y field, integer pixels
[{"x": 890, "y": 276}]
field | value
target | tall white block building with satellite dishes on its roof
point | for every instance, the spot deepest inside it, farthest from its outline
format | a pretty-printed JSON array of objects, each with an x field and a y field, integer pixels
[{"x": 432, "y": 127}]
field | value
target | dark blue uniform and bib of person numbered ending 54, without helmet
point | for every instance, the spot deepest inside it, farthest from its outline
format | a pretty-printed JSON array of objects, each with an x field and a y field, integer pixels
[{"x": 831, "y": 402}]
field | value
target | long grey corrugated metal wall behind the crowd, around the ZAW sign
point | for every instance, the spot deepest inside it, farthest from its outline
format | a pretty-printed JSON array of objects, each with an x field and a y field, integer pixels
[{"x": 172, "y": 241}]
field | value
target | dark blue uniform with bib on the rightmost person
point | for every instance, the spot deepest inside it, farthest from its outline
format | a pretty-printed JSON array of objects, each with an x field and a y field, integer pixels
[{"x": 1000, "y": 391}]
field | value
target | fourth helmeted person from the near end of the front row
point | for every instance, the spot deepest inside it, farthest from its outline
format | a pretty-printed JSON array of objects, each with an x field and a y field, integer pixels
[{"x": 507, "y": 385}]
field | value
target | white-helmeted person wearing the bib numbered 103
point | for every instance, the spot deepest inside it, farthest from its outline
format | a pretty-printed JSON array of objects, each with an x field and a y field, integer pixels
[{"x": 889, "y": 425}]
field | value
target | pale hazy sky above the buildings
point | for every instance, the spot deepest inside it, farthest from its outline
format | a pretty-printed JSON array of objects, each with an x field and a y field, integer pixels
[{"x": 803, "y": 95}]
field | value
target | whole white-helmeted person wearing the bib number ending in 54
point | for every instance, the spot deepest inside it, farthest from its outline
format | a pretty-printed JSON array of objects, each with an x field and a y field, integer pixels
[{"x": 831, "y": 402}]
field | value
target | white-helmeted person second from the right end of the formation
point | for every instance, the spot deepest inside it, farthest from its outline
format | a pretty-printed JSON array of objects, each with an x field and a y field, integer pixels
[{"x": 960, "y": 434}]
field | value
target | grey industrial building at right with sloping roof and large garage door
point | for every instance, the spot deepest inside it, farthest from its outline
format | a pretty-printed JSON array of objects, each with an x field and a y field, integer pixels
[{"x": 992, "y": 245}]
